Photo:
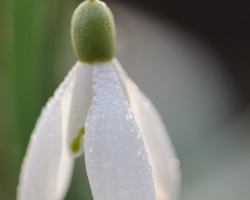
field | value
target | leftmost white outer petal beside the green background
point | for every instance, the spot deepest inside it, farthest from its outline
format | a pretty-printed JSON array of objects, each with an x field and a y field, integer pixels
[{"x": 41, "y": 170}]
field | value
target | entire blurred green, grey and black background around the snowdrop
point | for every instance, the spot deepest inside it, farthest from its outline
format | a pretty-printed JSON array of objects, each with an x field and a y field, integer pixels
[{"x": 191, "y": 58}]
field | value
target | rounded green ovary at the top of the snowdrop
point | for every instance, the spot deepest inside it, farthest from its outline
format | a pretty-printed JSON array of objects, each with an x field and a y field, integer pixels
[{"x": 93, "y": 32}]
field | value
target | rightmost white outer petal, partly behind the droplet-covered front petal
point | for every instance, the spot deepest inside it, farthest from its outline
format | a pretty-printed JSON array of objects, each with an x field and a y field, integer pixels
[{"x": 162, "y": 157}]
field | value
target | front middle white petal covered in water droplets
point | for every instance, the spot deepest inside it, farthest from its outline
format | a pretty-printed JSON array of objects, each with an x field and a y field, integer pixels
[{"x": 116, "y": 159}]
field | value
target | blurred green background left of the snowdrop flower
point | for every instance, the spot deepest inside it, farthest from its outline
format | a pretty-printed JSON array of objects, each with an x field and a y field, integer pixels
[{"x": 34, "y": 50}]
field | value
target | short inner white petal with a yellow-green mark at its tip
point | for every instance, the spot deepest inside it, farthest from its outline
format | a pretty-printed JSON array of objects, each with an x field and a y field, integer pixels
[{"x": 81, "y": 101}]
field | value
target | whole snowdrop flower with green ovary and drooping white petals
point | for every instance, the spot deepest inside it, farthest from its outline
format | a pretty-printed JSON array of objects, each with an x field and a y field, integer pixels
[{"x": 98, "y": 111}]
